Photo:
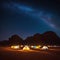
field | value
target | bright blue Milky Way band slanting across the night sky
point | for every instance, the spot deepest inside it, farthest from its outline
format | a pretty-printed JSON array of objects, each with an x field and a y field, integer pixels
[{"x": 46, "y": 17}]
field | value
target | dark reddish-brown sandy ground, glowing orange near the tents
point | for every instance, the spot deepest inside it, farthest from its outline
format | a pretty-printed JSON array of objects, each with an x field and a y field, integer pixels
[{"x": 8, "y": 54}]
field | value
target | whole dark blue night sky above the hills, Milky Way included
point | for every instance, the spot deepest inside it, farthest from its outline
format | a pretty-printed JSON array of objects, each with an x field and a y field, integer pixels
[{"x": 27, "y": 17}]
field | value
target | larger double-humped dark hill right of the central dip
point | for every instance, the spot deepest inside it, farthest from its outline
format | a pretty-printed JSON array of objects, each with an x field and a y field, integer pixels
[{"x": 47, "y": 38}]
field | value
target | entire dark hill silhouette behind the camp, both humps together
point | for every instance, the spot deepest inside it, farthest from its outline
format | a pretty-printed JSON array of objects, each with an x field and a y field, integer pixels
[{"x": 47, "y": 38}]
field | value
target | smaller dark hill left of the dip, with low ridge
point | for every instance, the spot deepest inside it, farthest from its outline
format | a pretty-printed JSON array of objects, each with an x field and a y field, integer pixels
[{"x": 13, "y": 40}]
